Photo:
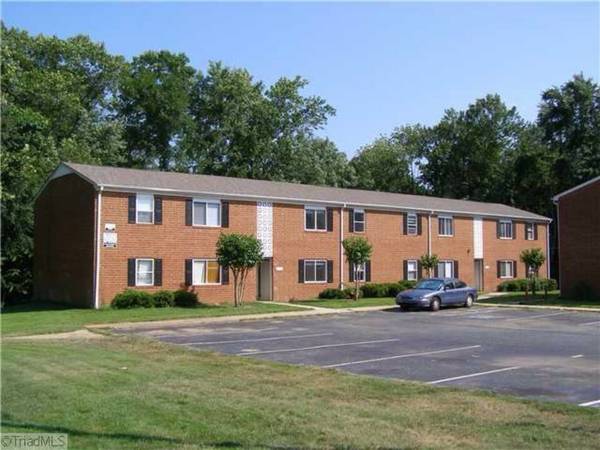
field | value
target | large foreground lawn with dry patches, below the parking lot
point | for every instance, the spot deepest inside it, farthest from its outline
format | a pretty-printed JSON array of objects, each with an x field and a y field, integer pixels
[{"x": 133, "y": 393}]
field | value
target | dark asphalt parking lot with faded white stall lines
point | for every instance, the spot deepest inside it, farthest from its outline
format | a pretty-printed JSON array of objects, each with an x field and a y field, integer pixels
[{"x": 551, "y": 355}]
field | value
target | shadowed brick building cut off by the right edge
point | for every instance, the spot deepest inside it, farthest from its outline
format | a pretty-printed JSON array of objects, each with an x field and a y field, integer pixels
[{"x": 578, "y": 213}]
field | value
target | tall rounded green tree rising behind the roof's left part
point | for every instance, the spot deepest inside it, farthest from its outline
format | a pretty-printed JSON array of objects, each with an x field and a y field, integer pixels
[{"x": 154, "y": 103}]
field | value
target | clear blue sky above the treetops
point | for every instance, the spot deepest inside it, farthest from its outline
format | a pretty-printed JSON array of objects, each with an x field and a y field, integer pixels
[{"x": 380, "y": 65}]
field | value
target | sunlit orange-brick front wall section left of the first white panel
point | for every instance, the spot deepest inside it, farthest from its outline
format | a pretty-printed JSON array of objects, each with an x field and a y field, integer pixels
[{"x": 172, "y": 241}]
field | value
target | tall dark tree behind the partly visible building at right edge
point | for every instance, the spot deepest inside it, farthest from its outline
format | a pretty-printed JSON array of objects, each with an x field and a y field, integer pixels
[{"x": 569, "y": 117}]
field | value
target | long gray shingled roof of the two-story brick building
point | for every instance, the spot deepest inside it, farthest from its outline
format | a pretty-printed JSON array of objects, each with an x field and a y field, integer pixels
[{"x": 114, "y": 177}]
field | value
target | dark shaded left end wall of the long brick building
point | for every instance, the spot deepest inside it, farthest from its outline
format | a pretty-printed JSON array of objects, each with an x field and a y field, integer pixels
[{"x": 64, "y": 233}]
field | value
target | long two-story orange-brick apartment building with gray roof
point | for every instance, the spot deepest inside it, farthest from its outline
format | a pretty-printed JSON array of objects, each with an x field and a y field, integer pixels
[{"x": 100, "y": 230}]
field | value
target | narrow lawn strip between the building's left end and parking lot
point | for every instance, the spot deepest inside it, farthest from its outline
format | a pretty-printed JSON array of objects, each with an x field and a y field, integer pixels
[{"x": 38, "y": 318}]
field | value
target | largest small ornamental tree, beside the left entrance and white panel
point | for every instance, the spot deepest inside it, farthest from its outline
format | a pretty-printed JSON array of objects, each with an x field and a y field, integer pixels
[{"x": 240, "y": 253}]
